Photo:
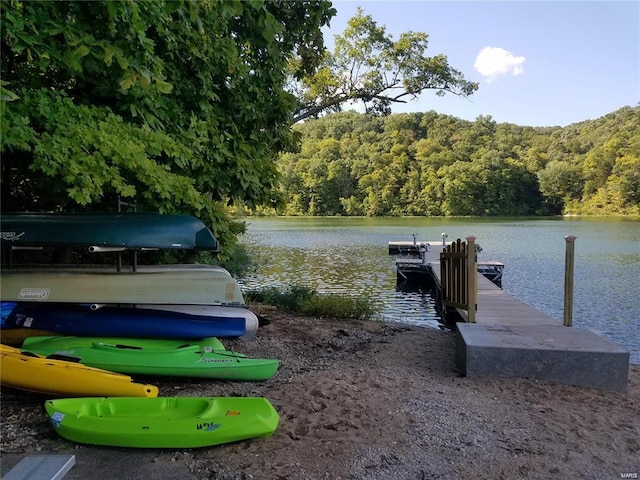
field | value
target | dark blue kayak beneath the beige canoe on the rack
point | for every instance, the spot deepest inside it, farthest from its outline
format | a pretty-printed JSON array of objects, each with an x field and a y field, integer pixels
[{"x": 81, "y": 320}]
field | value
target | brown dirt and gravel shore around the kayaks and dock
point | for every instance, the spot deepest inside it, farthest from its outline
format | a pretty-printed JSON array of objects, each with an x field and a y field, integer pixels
[{"x": 367, "y": 400}]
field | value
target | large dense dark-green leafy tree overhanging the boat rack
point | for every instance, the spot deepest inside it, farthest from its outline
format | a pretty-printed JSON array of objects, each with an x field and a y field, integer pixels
[{"x": 180, "y": 105}]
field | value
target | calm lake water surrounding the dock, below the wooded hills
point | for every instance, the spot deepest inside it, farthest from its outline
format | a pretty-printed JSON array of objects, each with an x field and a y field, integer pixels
[{"x": 350, "y": 256}]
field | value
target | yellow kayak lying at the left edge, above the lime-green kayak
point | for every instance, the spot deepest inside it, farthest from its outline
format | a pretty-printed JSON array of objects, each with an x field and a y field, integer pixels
[{"x": 35, "y": 373}]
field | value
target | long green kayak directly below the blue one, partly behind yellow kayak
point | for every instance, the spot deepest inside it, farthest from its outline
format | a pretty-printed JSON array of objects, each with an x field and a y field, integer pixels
[{"x": 188, "y": 360}]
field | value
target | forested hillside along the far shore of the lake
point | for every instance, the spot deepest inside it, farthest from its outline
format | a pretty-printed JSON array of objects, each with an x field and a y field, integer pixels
[{"x": 433, "y": 164}]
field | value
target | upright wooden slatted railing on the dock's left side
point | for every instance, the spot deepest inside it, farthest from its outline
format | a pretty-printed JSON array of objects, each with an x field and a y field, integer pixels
[{"x": 458, "y": 273}]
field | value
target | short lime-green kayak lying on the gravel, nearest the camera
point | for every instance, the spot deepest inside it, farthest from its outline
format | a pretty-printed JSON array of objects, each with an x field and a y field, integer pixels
[{"x": 163, "y": 422}]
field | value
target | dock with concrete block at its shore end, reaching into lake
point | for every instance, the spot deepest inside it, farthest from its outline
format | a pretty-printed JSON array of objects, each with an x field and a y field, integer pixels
[{"x": 512, "y": 339}]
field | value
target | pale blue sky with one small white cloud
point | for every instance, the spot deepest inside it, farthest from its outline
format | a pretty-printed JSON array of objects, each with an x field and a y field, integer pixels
[{"x": 538, "y": 63}]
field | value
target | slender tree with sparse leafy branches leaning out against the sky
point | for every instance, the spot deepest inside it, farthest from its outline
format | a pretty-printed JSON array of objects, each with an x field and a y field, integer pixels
[{"x": 369, "y": 67}]
